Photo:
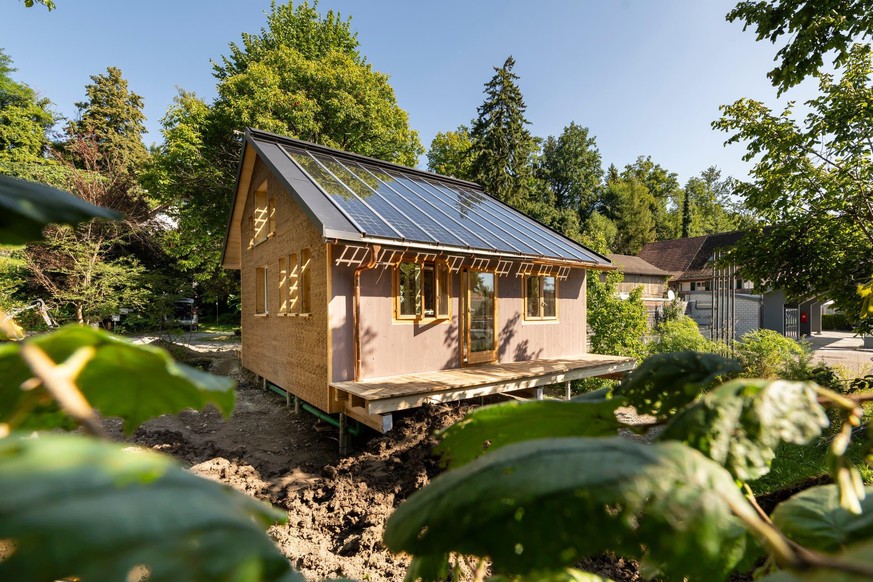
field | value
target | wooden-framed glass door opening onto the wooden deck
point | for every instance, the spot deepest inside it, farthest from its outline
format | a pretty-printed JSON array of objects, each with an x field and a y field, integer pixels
[{"x": 480, "y": 339}]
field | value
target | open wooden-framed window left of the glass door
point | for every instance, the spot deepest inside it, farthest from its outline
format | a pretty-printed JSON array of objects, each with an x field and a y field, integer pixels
[{"x": 421, "y": 290}]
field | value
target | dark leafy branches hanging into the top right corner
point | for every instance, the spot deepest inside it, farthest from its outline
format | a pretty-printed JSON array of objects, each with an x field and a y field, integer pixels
[{"x": 814, "y": 29}]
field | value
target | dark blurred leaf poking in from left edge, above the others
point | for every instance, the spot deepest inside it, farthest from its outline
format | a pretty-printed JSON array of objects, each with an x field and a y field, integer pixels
[{"x": 27, "y": 207}]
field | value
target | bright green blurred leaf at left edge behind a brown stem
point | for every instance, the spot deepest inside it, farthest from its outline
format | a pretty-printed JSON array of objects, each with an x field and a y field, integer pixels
[{"x": 135, "y": 382}]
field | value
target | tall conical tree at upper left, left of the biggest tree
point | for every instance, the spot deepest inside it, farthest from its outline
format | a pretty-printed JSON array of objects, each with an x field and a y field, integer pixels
[{"x": 110, "y": 120}]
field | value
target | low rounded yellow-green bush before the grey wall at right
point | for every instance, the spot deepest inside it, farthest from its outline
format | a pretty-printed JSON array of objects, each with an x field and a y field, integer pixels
[{"x": 765, "y": 353}]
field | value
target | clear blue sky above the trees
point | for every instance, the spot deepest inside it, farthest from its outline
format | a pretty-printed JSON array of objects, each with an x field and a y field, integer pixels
[{"x": 645, "y": 76}]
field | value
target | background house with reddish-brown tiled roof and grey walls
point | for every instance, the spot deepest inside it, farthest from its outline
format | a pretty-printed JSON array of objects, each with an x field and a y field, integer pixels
[{"x": 723, "y": 304}]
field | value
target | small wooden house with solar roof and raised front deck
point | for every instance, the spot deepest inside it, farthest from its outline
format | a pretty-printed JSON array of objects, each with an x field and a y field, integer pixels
[{"x": 369, "y": 287}]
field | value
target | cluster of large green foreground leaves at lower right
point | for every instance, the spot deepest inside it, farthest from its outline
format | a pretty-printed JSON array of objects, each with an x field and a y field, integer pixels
[{"x": 535, "y": 487}]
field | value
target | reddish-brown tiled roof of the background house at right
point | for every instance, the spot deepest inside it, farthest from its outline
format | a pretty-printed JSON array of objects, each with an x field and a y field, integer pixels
[{"x": 688, "y": 258}]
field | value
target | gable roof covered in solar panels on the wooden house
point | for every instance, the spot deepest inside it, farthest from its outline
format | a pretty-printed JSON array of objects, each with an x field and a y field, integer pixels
[{"x": 355, "y": 198}]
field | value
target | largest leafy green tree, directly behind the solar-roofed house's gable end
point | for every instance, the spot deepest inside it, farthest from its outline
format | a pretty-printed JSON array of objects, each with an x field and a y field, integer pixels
[{"x": 301, "y": 76}]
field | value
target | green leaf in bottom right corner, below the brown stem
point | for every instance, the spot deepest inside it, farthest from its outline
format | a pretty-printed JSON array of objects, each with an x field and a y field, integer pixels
[{"x": 814, "y": 518}]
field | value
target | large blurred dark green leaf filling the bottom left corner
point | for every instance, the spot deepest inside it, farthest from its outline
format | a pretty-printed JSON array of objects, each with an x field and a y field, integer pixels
[{"x": 74, "y": 506}]
